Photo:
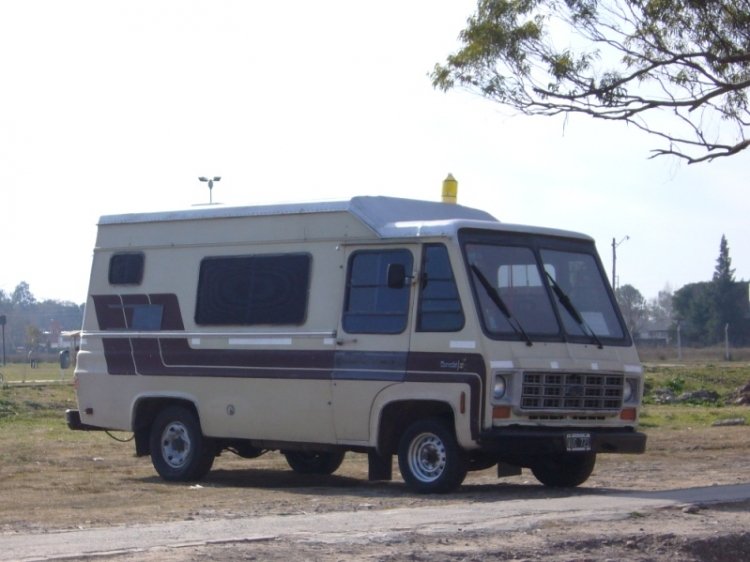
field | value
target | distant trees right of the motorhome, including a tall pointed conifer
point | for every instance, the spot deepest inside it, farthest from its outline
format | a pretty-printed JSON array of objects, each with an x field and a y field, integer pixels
[{"x": 702, "y": 313}]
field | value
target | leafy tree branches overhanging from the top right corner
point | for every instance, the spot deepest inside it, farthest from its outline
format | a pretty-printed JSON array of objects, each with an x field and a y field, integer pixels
[{"x": 616, "y": 60}]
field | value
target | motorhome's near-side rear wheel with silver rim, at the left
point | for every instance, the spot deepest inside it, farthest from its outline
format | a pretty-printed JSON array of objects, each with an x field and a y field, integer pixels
[{"x": 179, "y": 451}]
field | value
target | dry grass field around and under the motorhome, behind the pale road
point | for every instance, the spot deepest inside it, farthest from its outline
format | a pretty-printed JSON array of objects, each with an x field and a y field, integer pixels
[{"x": 53, "y": 478}]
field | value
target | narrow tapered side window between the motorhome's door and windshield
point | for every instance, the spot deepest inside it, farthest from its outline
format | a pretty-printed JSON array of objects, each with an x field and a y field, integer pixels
[{"x": 439, "y": 305}]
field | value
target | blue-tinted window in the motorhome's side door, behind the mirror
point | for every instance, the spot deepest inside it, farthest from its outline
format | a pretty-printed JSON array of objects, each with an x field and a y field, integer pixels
[{"x": 371, "y": 306}]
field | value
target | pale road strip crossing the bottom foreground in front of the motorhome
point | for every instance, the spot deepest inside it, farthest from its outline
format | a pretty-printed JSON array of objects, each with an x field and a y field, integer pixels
[{"x": 456, "y": 529}]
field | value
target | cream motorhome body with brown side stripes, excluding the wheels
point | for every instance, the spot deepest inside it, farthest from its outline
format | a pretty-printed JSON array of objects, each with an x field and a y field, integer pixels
[{"x": 157, "y": 336}]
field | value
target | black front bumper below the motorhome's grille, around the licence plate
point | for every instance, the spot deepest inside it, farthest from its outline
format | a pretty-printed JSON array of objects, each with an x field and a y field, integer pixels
[{"x": 523, "y": 442}]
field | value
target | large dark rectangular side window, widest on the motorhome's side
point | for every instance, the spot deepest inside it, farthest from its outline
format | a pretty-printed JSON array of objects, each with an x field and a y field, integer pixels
[{"x": 247, "y": 290}]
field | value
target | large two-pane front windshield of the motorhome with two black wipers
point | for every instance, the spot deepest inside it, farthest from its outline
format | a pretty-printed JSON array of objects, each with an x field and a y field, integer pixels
[{"x": 541, "y": 289}]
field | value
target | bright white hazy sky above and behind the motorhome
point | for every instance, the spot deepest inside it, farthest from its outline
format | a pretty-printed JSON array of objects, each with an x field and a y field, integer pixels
[{"x": 115, "y": 107}]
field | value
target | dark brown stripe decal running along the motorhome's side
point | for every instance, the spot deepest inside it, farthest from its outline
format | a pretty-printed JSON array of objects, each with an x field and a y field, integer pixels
[{"x": 154, "y": 356}]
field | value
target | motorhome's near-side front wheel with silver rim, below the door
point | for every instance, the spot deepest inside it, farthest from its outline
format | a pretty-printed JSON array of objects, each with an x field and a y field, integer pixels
[{"x": 430, "y": 459}]
